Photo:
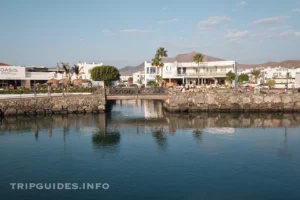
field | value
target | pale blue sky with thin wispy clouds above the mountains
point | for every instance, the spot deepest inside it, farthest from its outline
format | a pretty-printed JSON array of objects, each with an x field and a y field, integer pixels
[{"x": 119, "y": 32}]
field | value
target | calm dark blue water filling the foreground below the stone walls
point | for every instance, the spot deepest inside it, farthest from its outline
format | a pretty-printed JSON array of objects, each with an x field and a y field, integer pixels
[{"x": 144, "y": 153}]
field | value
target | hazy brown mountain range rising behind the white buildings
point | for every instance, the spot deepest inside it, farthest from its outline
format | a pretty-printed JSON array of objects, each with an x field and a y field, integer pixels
[{"x": 188, "y": 57}]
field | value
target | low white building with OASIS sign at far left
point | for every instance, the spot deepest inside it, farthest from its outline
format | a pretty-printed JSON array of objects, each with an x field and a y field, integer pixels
[{"x": 26, "y": 76}]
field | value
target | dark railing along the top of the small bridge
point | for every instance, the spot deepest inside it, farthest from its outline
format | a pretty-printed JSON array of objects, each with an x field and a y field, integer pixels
[{"x": 115, "y": 91}]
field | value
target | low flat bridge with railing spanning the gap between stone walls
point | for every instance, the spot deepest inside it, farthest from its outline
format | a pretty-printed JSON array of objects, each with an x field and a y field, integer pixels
[{"x": 124, "y": 93}]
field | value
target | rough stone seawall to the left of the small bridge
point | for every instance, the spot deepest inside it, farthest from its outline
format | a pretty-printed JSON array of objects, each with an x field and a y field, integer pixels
[{"x": 53, "y": 105}]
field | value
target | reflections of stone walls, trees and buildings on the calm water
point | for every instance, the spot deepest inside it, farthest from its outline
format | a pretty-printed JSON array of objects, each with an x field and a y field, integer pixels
[{"x": 147, "y": 117}]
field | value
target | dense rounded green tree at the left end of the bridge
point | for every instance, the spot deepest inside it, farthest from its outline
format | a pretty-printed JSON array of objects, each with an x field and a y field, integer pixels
[{"x": 105, "y": 73}]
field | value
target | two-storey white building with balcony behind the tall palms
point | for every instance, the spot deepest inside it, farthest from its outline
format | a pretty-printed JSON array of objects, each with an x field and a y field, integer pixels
[{"x": 177, "y": 73}]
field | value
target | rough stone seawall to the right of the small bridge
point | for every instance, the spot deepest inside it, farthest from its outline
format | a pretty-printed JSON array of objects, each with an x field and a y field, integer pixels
[{"x": 231, "y": 101}]
